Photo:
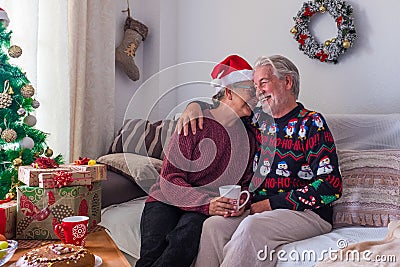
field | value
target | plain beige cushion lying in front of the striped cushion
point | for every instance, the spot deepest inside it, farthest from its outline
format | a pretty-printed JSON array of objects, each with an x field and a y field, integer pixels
[{"x": 140, "y": 169}]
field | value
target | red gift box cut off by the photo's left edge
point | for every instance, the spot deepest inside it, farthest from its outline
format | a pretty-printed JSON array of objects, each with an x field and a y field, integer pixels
[{"x": 8, "y": 217}]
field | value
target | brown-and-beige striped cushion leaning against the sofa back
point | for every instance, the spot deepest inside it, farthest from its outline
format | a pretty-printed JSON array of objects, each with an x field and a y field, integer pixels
[{"x": 143, "y": 137}]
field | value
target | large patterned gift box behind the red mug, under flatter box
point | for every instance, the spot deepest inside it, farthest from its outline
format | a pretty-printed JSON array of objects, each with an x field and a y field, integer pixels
[{"x": 39, "y": 209}]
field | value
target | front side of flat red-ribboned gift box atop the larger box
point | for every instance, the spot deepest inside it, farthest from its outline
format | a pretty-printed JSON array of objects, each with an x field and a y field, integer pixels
[{"x": 64, "y": 178}]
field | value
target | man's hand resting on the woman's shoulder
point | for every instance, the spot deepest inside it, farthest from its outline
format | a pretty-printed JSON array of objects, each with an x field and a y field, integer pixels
[{"x": 191, "y": 114}]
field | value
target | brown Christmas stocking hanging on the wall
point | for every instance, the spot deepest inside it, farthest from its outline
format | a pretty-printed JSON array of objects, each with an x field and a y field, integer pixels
[{"x": 134, "y": 33}]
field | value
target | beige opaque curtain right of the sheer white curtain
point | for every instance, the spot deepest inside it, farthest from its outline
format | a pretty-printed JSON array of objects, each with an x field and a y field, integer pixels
[{"x": 92, "y": 76}]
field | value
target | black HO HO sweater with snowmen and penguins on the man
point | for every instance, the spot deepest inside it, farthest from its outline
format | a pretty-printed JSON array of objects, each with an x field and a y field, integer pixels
[{"x": 296, "y": 165}]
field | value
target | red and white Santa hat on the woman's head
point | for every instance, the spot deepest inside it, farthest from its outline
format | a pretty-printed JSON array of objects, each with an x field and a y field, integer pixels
[{"x": 231, "y": 70}]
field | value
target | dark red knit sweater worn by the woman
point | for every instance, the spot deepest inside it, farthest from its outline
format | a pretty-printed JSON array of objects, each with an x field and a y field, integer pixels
[{"x": 196, "y": 165}]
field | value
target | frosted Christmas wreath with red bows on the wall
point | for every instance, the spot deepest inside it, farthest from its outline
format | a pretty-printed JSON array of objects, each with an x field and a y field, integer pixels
[{"x": 330, "y": 50}]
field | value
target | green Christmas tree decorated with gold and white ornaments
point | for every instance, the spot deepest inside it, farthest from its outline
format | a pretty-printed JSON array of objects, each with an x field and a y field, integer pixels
[{"x": 20, "y": 143}]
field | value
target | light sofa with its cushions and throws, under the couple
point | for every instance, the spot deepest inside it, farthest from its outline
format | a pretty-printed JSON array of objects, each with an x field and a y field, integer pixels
[{"x": 369, "y": 155}]
